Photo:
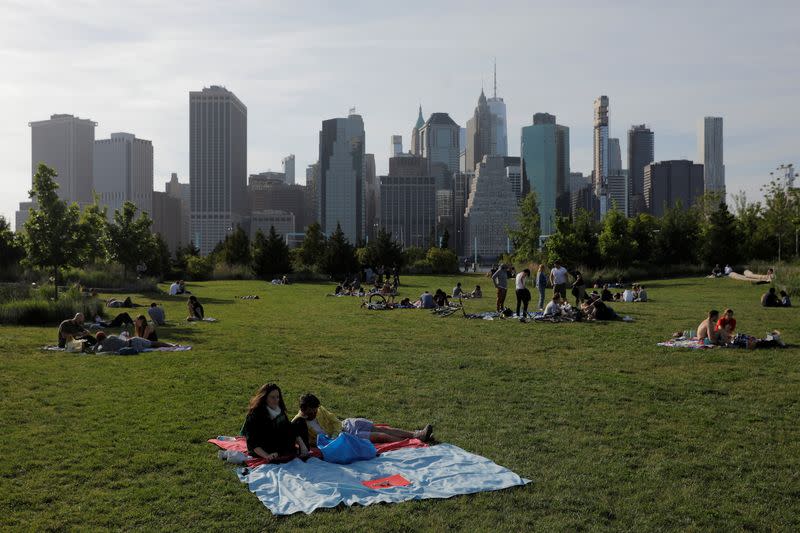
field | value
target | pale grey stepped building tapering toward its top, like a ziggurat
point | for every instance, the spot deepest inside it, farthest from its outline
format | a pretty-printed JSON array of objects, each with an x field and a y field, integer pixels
[{"x": 491, "y": 210}]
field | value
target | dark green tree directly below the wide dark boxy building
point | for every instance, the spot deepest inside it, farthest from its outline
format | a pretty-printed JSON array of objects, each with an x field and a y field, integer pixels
[{"x": 676, "y": 240}]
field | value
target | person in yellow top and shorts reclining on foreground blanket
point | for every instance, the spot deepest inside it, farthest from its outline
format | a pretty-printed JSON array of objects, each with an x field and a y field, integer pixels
[{"x": 321, "y": 421}]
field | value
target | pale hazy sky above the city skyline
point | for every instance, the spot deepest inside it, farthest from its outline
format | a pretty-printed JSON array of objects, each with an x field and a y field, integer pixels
[{"x": 130, "y": 66}]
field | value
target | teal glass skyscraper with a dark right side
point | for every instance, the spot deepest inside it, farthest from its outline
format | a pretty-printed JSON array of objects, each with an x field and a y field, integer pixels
[{"x": 545, "y": 166}]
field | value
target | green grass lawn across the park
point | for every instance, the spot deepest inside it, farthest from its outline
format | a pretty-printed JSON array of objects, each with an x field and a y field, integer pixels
[{"x": 614, "y": 431}]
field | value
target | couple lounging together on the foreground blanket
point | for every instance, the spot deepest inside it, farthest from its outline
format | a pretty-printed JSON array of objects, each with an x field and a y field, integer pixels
[{"x": 271, "y": 435}]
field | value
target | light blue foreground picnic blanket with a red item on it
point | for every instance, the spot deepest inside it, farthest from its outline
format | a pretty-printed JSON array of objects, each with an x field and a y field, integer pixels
[{"x": 439, "y": 471}]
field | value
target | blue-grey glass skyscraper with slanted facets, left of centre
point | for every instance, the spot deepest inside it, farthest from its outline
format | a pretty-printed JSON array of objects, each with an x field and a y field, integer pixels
[{"x": 341, "y": 188}]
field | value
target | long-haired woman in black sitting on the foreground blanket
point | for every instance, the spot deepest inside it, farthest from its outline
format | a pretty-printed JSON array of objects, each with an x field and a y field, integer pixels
[{"x": 267, "y": 428}]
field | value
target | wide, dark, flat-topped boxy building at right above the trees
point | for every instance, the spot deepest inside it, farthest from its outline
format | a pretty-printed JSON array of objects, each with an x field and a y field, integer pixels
[{"x": 668, "y": 182}]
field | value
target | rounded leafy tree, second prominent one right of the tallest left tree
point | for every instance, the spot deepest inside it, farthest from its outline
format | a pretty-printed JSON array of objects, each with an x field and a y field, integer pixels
[{"x": 129, "y": 239}]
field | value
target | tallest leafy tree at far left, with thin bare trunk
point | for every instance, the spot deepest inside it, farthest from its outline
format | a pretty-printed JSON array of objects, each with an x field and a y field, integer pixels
[{"x": 52, "y": 232}]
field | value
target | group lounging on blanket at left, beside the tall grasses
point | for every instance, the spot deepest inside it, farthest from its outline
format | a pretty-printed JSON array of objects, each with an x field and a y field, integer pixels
[{"x": 143, "y": 335}]
